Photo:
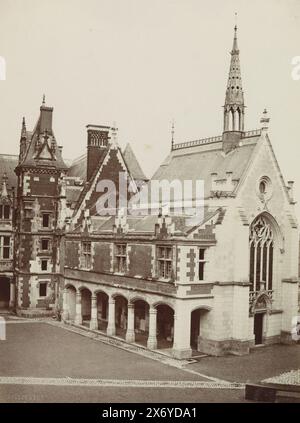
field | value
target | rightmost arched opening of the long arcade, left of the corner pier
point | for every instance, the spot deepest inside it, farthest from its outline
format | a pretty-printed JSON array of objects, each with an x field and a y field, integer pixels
[{"x": 165, "y": 326}]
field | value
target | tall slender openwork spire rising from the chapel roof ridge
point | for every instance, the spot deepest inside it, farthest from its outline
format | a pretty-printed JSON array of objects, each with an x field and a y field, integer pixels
[{"x": 234, "y": 99}]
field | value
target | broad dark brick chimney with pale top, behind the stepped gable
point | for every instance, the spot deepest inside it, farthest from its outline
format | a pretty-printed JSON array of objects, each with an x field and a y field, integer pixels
[{"x": 97, "y": 145}]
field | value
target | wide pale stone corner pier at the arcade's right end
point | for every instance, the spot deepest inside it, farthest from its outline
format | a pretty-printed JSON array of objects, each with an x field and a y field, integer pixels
[{"x": 182, "y": 329}]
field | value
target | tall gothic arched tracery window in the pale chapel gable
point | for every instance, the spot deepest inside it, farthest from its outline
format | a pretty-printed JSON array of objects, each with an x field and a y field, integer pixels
[{"x": 261, "y": 255}]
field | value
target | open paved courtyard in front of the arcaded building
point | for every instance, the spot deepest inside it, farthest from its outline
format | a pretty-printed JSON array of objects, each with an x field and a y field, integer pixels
[{"x": 40, "y": 362}]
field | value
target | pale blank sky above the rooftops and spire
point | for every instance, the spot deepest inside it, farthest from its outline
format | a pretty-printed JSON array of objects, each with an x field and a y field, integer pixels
[{"x": 142, "y": 63}]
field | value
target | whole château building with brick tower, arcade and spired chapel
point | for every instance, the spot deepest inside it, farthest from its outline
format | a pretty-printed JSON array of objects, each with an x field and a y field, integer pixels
[{"x": 222, "y": 285}]
